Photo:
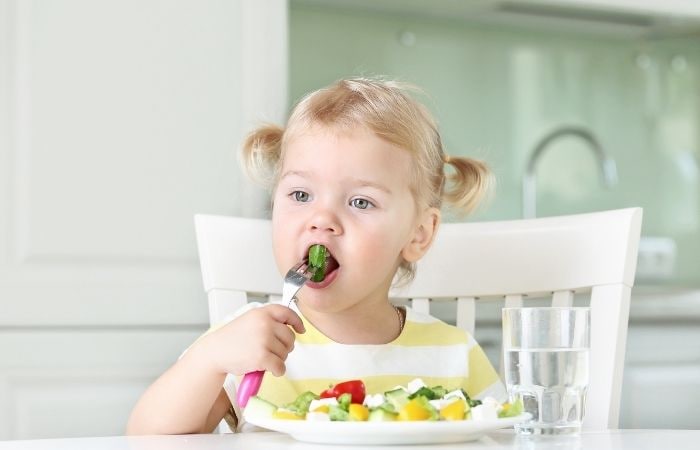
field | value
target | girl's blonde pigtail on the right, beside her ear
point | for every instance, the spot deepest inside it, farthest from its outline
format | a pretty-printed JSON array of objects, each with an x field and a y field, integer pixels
[{"x": 469, "y": 182}]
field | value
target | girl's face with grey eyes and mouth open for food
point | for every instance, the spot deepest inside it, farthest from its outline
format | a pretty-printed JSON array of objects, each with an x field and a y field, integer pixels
[{"x": 349, "y": 192}]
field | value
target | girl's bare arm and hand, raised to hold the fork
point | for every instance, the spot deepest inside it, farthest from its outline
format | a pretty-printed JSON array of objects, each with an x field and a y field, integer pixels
[{"x": 188, "y": 397}]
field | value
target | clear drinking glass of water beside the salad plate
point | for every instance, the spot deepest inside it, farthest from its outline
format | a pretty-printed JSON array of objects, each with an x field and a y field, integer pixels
[{"x": 546, "y": 352}]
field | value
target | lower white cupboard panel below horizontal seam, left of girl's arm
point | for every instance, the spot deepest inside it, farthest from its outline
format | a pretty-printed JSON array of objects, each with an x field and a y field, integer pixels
[{"x": 80, "y": 382}]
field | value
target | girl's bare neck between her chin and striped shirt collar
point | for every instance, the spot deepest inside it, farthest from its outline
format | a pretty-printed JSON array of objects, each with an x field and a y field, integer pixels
[{"x": 377, "y": 325}]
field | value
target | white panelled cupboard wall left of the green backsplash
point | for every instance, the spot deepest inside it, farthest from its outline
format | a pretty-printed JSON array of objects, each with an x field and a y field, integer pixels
[{"x": 118, "y": 121}]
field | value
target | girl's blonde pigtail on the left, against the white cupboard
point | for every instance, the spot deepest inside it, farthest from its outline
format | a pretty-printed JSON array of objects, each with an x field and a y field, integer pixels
[{"x": 261, "y": 152}]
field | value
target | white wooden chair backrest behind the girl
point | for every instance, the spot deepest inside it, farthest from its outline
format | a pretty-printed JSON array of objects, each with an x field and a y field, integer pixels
[{"x": 591, "y": 255}]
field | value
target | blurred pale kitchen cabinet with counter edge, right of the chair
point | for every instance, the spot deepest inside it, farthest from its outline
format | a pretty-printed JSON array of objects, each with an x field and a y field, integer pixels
[{"x": 661, "y": 387}]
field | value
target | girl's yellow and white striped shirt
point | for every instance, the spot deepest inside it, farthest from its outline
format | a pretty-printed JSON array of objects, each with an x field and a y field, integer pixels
[{"x": 429, "y": 349}]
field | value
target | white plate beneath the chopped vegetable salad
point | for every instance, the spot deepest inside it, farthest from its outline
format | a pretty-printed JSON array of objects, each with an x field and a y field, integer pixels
[{"x": 378, "y": 433}]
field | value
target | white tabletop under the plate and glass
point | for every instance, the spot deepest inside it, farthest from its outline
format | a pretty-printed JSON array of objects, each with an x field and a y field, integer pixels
[{"x": 504, "y": 439}]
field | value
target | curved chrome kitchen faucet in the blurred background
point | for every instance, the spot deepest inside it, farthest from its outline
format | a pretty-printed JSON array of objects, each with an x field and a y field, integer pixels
[{"x": 607, "y": 164}]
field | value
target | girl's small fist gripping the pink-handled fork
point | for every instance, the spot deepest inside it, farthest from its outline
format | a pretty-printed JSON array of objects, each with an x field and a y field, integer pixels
[{"x": 260, "y": 339}]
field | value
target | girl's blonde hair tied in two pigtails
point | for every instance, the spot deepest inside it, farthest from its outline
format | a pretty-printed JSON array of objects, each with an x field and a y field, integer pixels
[{"x": 385, "y": 108}]
